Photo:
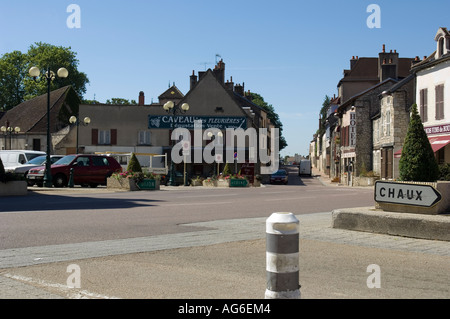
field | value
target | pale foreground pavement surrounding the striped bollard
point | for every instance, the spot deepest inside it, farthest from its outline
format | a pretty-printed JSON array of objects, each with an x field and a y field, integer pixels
[{"x": 226, "y": 260}]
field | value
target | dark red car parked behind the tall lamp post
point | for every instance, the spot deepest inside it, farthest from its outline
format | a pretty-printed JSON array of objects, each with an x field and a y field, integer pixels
[{"x": 89, "y": 170}]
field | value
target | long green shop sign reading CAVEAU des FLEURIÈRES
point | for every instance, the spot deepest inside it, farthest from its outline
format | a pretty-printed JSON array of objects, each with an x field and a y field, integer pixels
[{"x": 187, "y": 122}]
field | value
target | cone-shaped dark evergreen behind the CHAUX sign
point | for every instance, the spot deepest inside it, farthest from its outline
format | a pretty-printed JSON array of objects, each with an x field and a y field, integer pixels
[{"x": 417, "y": 162}]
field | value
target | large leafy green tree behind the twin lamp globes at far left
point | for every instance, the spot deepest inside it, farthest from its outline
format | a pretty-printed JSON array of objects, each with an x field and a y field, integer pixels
[{"x": 17, "y": 86}]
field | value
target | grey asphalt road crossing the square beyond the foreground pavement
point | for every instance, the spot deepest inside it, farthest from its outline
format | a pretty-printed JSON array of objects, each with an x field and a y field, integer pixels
[{"x": 54, "y": 218}]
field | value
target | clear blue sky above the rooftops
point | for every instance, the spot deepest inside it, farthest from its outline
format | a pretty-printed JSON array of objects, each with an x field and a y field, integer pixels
[{"x": 290, "y": 52}]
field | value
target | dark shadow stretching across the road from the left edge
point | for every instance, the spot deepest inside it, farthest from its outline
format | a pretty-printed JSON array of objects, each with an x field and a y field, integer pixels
[{"x": 45, "y": 202}]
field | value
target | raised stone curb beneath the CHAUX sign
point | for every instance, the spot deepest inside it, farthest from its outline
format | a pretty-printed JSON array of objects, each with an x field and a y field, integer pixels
[{"x": 369, "y": 219}]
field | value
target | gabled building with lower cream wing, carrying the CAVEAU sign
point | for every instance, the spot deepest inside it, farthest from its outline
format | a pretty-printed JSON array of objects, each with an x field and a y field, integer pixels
[{"x": 146, "y": 129}]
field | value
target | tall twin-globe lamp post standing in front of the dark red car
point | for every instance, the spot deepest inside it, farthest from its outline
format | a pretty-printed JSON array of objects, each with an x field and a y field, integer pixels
[{"x": 48, "y": 76}]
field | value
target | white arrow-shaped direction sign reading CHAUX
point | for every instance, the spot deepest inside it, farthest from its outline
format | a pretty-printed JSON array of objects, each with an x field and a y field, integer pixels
[{"x": 406, "y": 194}]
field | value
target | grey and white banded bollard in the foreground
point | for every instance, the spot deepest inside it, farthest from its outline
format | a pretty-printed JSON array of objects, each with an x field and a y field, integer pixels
[{"x": 282, "y": 255}]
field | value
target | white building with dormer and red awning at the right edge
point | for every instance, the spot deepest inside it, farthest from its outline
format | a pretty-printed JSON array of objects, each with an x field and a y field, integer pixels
[{"x": 433, "y": 95}]
